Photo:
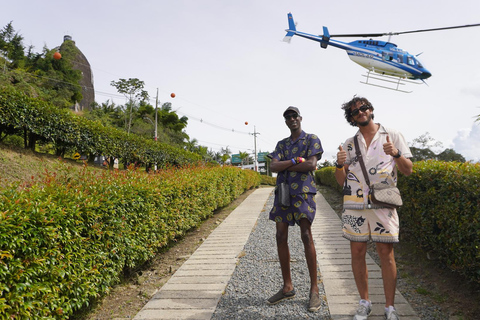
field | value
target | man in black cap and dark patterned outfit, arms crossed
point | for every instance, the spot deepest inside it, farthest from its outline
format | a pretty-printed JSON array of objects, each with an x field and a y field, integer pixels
[{"x": 294, "y": 159}]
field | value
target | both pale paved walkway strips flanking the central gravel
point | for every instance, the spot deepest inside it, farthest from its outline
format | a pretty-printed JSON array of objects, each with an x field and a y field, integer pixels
[{"x": 206, "y": 273}]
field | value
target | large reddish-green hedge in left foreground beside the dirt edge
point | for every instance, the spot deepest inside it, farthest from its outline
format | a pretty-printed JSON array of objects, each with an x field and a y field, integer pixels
[{"x": 66, "y": 239}]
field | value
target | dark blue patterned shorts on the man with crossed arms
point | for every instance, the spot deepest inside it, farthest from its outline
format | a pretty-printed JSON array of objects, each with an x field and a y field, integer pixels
[{"x": 302, "y": 205}]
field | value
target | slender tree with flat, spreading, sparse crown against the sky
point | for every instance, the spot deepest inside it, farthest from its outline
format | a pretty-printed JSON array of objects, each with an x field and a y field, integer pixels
[{"x": 132, "y": 89}]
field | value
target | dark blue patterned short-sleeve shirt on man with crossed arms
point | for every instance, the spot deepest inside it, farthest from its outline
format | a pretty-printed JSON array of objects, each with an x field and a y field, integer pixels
[{"x": 305, "y": 146}]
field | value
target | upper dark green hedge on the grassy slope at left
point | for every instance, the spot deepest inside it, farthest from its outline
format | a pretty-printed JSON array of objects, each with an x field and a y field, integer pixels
[{"x": 66, "y": 131}]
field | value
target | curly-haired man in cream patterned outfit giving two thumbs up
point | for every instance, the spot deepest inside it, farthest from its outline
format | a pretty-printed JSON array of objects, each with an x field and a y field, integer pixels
[{"x": 383, "y": 150}]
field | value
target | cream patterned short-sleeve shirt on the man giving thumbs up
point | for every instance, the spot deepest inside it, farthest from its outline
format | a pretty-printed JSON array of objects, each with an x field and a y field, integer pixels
[{"x": 380, "y": 167}]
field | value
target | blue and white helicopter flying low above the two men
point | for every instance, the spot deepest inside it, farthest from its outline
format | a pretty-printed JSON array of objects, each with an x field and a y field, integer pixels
[{"x": 383, "y": 59}]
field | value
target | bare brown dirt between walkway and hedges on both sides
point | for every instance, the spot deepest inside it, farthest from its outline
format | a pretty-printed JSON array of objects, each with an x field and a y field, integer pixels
[{"x": 425, "y": 281}]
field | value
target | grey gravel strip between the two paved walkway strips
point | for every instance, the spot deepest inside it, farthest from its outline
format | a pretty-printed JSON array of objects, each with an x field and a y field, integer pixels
[{"x": 258, "y": 276}]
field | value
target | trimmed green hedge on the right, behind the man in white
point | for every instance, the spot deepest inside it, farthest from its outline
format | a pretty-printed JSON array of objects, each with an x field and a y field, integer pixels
[{"x": 441, "y": 211}]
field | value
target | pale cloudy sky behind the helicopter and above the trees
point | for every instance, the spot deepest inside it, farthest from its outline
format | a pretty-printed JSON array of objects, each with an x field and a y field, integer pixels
[{"x": 227, "y": 64}]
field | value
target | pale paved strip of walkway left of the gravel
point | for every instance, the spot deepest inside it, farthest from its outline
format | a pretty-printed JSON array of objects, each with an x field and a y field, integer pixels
[{"x": 206, "y": 273}]
